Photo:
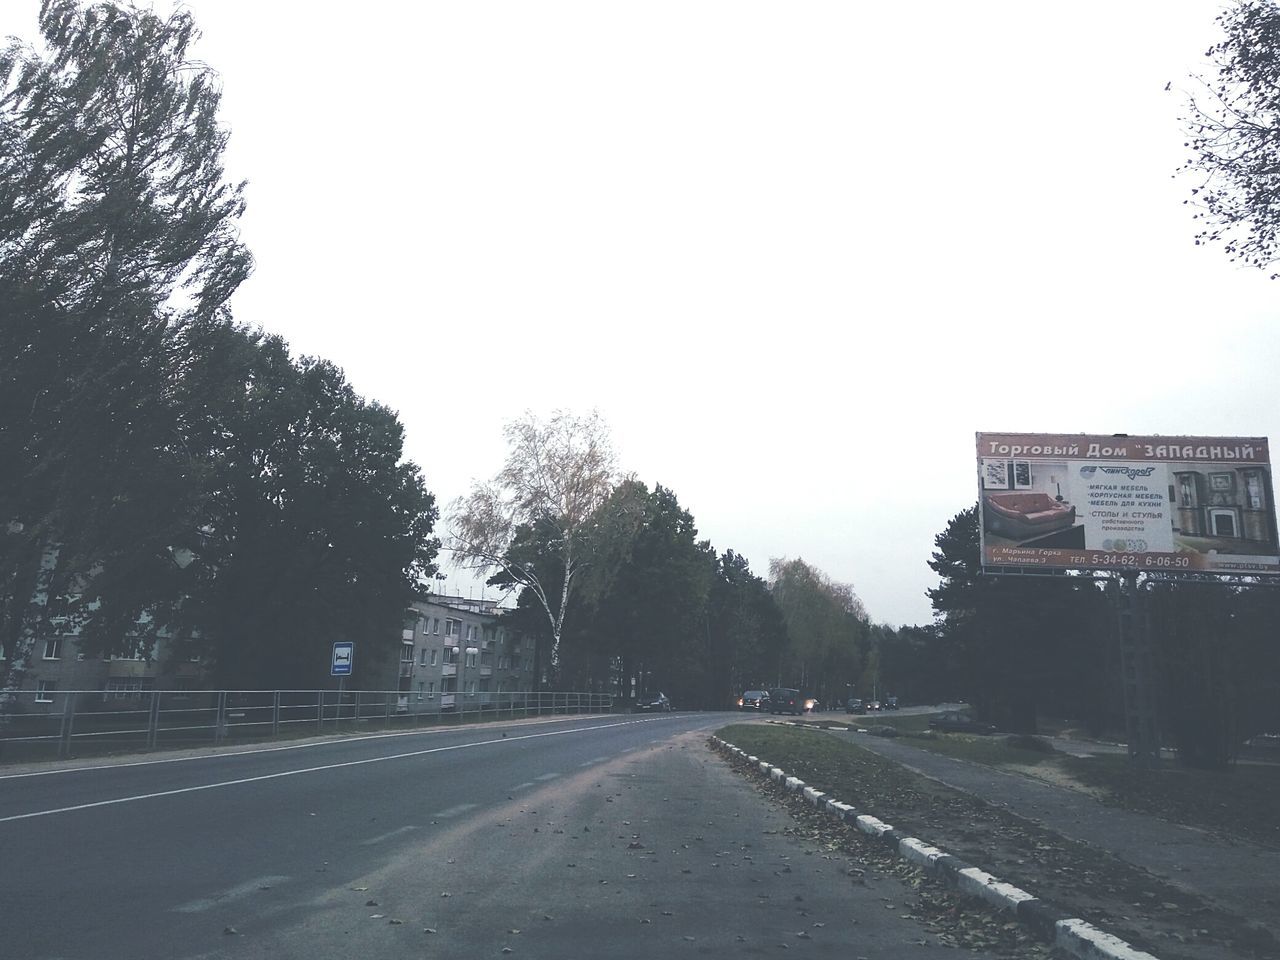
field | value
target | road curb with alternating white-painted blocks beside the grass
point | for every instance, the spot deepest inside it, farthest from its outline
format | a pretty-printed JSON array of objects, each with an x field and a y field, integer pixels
[{"x": 1050, "y": 924}]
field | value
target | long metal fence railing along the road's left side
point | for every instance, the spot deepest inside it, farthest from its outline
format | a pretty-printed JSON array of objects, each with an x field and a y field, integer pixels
[{"x": 40, "y": 726}]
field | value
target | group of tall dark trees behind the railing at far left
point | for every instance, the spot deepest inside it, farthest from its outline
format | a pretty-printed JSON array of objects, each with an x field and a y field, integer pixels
[{"x": 164, "y": 472}]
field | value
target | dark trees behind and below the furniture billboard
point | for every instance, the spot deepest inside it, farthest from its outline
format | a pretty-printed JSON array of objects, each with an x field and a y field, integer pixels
[{"x": 1028, "y": 647}]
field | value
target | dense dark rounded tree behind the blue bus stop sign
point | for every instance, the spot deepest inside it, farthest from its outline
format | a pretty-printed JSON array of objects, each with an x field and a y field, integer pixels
[{"x": 313, "y": 529}]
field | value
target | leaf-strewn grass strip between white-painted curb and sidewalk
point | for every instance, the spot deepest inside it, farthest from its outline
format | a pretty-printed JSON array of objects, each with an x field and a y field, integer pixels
[{"x": 1090, "y": 883}]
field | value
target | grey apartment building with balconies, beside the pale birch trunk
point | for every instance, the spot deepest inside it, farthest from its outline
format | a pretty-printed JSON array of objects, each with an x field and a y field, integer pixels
[{"x": 459, "y": 653}]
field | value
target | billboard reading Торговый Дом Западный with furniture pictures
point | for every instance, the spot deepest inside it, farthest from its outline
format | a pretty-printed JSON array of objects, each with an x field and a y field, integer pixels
[{"x": 1194, "y": 505}]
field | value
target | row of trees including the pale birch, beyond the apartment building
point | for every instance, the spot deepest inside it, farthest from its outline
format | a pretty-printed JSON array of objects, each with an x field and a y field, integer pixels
[{"x": 614, "y": 577}]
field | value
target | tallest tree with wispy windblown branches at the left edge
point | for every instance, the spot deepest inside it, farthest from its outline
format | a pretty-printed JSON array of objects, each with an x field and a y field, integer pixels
[{"x": 117, "y": 235}]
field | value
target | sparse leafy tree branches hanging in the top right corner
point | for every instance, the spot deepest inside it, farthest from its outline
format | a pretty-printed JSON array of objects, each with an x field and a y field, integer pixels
[{"x": 1233, "y": 127}]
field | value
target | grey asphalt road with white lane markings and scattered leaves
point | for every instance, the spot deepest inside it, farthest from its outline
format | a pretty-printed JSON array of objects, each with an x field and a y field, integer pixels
[{"x": 586, "y": 838}]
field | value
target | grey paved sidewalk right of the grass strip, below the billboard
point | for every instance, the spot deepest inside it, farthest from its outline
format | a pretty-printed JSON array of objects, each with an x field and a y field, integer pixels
[{"x": 1233, "y": 875}]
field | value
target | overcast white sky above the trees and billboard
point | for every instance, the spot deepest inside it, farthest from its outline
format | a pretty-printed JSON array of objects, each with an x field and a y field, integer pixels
[{"x": 796, "y": 254}]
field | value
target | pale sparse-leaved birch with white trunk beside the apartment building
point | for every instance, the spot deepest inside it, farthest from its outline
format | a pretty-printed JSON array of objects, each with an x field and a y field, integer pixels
[{"x": 556, "y": 478}]
